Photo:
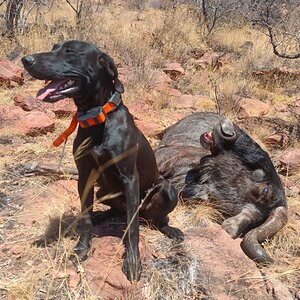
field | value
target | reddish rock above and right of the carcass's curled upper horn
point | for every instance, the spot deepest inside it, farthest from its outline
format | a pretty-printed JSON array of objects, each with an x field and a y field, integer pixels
[{"x": 250, "y": 107}]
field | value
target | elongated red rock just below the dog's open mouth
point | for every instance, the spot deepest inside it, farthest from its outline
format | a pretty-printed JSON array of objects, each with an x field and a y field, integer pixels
[{"x": 61, "y": 108}]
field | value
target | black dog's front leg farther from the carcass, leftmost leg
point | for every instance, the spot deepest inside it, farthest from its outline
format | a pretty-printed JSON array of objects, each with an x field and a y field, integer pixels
[{"x": 86, "y": 193}]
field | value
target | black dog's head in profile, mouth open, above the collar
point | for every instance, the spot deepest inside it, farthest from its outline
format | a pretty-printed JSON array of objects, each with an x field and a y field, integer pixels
[{"x": 75, "y": 69}]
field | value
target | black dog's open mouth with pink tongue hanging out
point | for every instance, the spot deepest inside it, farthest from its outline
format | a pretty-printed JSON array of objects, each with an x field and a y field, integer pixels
[{"x": 58, "y": 89}]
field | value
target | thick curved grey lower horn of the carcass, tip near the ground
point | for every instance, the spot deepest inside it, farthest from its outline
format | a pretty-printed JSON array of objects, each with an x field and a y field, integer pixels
[{"x": 251, "y": 242}]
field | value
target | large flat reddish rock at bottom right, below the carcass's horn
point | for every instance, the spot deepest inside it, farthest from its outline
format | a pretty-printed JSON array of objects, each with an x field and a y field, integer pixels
[{"x": 225, "y": 271}]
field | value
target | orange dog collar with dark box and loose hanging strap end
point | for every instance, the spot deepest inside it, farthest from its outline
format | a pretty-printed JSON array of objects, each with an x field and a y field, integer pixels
[{"x": 92, "y": 117}]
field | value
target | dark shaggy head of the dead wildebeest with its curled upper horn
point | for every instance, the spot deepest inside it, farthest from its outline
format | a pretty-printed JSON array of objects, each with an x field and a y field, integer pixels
[{"x": 237, "y": 171}]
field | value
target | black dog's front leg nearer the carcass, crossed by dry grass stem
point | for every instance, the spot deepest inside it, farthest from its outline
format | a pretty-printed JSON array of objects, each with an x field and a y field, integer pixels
[{"x": 132, "y": 261}]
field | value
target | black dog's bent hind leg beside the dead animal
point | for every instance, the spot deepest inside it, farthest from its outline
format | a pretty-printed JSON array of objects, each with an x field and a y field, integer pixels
[{"x": 159, "y": 202}]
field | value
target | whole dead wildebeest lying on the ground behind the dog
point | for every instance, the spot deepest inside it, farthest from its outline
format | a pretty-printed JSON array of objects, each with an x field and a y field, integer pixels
[{"x": 209, "y": 158}]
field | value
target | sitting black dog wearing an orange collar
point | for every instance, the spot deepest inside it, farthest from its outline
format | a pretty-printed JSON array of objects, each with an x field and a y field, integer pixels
[{"x": 108, "y": 148}]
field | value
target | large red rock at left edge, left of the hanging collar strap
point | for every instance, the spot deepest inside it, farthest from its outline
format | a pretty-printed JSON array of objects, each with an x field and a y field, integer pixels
[{"x": 15, "y": 119}]
